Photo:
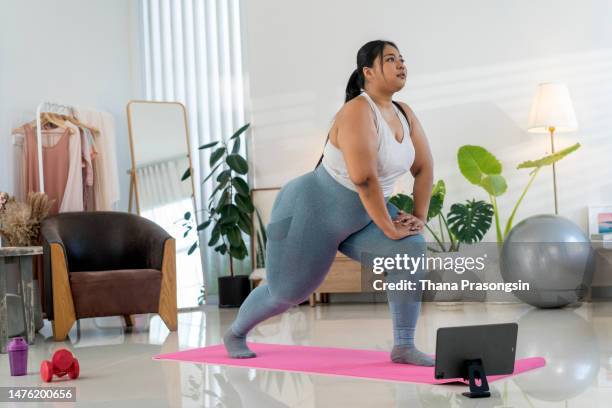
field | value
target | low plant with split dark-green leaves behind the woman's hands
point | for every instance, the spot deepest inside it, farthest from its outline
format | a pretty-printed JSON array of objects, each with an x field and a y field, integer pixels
[{"x": 465, "y": 222}]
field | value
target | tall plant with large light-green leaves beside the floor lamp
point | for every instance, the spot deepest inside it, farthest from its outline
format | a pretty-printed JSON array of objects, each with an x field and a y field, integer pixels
[{"x": 481, "y": 167}]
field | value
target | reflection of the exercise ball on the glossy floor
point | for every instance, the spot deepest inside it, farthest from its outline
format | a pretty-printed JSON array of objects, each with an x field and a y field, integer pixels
[{"x": 569, "y": 345}]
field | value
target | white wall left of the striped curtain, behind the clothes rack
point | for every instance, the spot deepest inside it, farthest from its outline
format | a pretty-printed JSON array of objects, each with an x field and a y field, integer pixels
[{"x": 69, "y": 51}]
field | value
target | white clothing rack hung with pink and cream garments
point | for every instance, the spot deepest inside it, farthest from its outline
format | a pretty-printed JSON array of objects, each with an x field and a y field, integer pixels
[{"x": 89, "y": 158}]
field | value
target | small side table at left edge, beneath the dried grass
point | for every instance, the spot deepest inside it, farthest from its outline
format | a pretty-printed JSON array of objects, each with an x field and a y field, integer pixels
[{"x": 22, "y": 255}]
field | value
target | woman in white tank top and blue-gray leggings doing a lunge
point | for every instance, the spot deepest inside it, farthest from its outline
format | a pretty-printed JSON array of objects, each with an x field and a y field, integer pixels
[{"x": 343, "y": 205}]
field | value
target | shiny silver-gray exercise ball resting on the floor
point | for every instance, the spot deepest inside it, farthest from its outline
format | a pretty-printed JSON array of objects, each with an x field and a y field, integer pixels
[{"x": 553, "y": 255}]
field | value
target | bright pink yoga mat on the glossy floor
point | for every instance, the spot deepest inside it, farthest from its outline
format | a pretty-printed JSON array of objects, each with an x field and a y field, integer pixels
[{"x": 329, "y": 361}]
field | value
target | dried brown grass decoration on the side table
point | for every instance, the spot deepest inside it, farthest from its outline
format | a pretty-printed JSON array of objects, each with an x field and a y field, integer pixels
[{"x": 20, "y": 222}]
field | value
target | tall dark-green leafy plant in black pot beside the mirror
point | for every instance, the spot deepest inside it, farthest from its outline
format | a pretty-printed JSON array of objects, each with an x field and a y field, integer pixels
[{"x": 228, "y": 213}]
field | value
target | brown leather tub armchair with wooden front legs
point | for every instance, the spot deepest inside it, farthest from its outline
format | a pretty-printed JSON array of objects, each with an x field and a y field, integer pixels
[{"x": 106, "y": 264}]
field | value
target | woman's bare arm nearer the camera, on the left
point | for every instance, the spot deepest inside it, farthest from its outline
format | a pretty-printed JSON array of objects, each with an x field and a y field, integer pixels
[{"x": 358, "y": 140}]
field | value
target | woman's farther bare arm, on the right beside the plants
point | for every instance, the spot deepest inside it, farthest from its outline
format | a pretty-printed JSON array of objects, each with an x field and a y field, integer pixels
[{"x": 422, "y": 168}]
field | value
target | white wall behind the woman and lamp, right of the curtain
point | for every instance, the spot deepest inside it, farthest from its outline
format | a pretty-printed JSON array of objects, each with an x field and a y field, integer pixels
[{"x": 473, "y": 67}]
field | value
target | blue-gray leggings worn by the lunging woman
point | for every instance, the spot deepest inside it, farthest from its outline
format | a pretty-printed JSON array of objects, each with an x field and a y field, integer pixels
[{"x": 314, "y": 216}]
